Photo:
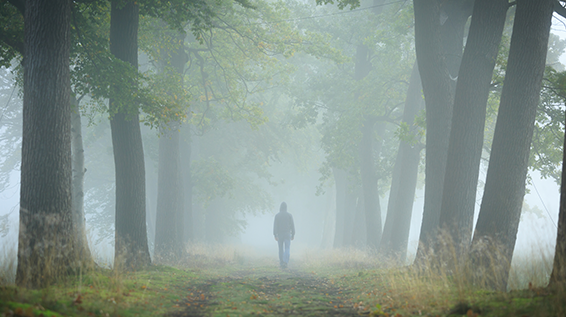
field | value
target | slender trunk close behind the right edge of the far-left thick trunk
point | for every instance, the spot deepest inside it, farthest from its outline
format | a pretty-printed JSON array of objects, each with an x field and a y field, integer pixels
[{"x": 77, "y": 193}]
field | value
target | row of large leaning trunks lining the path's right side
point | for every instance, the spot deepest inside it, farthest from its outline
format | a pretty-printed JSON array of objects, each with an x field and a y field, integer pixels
[{"x": 456, "y": 84}]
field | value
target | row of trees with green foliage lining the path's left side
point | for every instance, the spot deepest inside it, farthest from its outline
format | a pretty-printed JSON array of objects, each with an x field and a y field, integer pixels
[{"x": 222, "y": 83}]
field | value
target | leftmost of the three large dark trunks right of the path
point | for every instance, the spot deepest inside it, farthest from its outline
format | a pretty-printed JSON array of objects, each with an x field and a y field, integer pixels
[{"x": 432, "y": 44}]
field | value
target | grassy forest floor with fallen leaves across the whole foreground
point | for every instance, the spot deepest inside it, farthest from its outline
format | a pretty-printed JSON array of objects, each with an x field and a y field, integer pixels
[{"x": 335, "y": 284}]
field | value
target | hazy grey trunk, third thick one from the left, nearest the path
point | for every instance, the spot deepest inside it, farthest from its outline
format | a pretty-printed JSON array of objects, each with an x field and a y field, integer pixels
[{"x": 170, "y": 220}]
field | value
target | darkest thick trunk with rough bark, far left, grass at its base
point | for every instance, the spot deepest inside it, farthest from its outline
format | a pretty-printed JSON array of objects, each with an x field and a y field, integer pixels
[{"x": 46, "y": 247}]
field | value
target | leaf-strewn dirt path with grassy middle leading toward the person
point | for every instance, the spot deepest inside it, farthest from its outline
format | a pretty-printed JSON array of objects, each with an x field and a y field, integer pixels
[{"x": 267, "y": 292}]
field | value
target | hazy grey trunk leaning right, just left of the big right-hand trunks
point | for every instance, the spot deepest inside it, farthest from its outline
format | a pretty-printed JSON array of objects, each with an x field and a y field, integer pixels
[{"x": 404, "y": 179}]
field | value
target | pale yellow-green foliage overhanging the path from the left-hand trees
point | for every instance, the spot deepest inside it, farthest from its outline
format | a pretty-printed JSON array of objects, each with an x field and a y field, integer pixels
[{"x": 239, "y": 59}]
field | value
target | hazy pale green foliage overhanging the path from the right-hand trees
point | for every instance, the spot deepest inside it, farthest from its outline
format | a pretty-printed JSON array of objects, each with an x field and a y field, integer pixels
[{"x": 331, "y": 94}]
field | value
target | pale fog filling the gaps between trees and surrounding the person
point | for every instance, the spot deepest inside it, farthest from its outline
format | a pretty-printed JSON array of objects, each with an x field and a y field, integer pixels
[{"x": 284, "y": 140}]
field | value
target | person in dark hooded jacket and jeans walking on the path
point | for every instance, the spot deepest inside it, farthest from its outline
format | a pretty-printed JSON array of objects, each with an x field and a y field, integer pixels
[{"x": 284, "y": 232}]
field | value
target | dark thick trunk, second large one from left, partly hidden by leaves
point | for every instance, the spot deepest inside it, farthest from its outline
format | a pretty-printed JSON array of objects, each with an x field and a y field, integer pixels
[{"x": 131, "y": 249}]
